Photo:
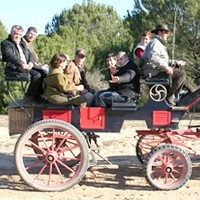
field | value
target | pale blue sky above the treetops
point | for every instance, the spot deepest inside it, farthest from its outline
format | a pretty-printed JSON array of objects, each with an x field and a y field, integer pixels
[{"x": 39, "y": 12}]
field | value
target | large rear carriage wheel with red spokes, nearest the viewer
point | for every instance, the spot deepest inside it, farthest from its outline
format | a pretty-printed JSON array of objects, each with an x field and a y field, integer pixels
[{"x": 51, "y": 155}]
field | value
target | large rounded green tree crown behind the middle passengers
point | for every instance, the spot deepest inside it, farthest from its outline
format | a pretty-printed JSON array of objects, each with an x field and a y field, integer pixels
[{"x": 95, "y": 27}]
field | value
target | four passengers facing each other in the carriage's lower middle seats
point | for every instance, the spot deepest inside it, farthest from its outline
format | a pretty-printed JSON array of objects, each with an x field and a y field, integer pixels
[{"x": 67, "y": 84}]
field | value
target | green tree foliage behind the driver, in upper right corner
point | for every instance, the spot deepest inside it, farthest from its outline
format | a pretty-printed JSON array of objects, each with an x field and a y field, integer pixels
[{"x": 149, "y": 13}]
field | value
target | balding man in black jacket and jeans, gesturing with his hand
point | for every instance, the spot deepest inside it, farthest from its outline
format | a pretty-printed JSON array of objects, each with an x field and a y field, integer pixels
[{"x": 124, "y": 83}]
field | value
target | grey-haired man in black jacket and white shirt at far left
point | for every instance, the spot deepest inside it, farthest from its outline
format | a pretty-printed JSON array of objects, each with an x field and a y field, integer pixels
[{"x": 19, "y": 59}]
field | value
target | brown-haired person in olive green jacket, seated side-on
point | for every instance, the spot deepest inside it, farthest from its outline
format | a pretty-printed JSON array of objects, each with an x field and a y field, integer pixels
[{"x": 59, "y": 90}]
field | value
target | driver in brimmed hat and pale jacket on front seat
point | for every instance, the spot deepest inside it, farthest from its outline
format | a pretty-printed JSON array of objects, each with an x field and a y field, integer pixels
[{"x": 155, "y": 62}]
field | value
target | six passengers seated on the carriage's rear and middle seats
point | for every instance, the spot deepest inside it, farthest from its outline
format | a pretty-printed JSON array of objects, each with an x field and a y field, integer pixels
[{"x": 66, "y": 82}]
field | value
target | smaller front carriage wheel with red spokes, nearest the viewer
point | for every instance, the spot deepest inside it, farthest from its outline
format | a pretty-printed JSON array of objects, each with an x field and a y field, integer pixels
[{"x": 168, "y": 167}]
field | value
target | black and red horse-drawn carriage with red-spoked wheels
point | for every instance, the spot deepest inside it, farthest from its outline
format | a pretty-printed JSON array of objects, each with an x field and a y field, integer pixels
[{"x": 54, "y": 151}]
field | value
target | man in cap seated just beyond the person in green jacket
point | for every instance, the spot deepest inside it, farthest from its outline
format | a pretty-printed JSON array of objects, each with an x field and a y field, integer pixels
[{"x": 76, "y": 73}]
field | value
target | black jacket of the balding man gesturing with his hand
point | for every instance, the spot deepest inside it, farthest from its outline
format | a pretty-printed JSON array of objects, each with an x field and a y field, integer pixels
[{"x": 129, "y": 83}]
